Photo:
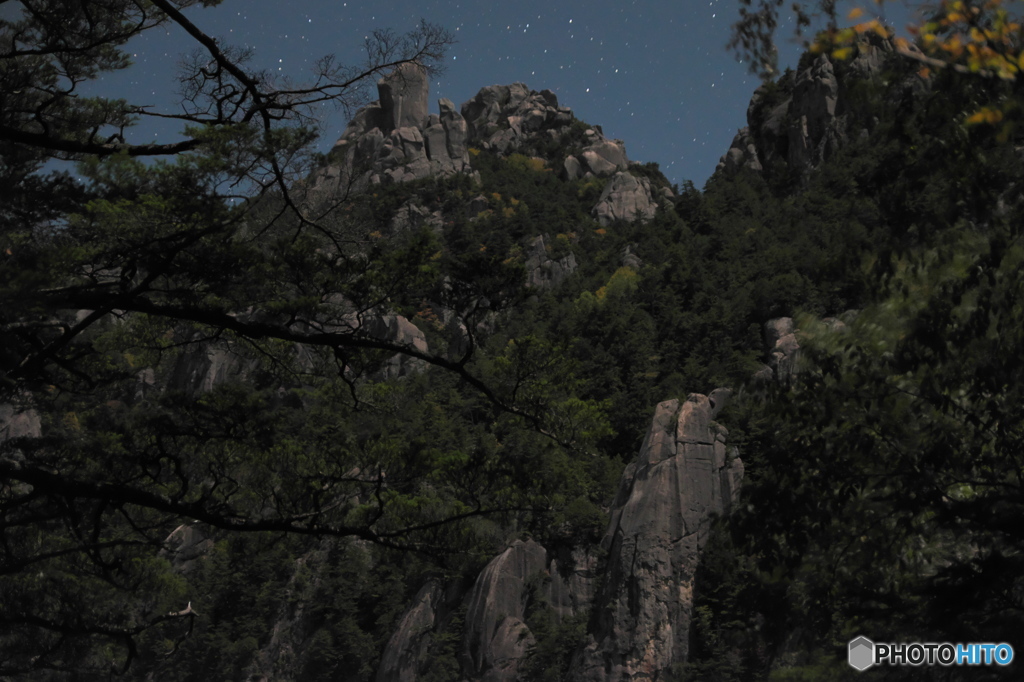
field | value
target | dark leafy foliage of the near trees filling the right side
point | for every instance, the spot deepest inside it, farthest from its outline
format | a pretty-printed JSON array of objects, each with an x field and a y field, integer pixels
[{"x": 869, "y": 474}]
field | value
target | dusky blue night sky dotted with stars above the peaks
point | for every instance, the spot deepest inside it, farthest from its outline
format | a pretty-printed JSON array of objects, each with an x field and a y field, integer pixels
[{"x": 654, "y": 73}]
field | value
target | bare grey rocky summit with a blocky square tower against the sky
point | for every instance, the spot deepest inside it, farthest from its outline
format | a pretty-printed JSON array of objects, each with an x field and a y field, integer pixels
[{"x": 398, "y": 140}]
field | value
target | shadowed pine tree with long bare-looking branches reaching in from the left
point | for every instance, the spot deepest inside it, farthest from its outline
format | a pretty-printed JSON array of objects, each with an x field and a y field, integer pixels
[{"x": 206, "y": 251}]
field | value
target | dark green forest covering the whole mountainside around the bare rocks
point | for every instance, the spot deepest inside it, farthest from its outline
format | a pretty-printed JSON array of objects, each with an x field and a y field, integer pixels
[{"x": 257, "y": 407}]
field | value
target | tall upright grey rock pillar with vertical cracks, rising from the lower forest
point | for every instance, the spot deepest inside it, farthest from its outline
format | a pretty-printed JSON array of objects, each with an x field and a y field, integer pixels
[{"x": 661, "y": 520}]
